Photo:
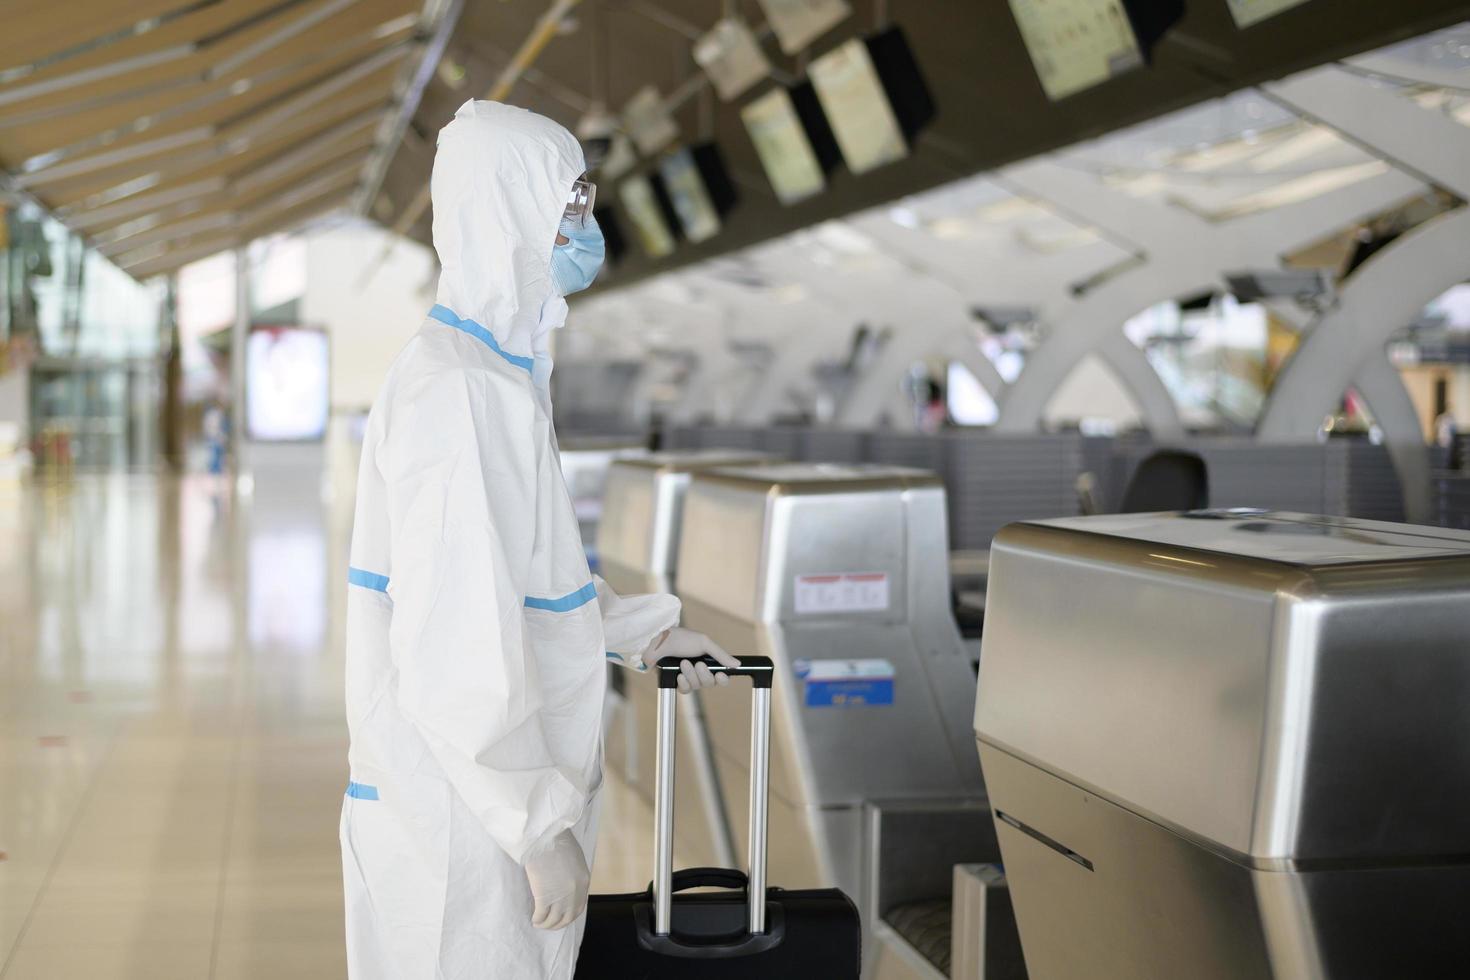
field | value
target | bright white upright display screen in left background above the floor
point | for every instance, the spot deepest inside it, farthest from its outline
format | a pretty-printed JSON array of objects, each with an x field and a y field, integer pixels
[{"x": 287, "y": 374}]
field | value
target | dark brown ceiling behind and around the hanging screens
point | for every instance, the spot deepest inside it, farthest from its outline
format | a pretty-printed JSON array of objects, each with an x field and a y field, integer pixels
[{"x": 992, "y": 108}]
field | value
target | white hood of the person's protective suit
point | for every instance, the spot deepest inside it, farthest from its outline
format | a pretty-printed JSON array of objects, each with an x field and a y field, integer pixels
[{"x": 501, "y": 184}]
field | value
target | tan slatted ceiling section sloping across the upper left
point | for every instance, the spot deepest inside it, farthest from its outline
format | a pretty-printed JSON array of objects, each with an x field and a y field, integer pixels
[{"x": 159, "y": 159}]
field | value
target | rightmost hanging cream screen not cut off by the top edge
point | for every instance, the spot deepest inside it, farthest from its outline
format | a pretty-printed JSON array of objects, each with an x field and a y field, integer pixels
[{"x": 858, "y": 108}]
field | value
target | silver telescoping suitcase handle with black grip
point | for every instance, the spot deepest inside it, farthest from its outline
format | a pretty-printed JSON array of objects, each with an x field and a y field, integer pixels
[{"x": 761, "y": 672}]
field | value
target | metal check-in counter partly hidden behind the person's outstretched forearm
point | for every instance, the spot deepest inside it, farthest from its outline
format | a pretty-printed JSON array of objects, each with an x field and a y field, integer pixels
[{"x": 639, "y": 546}]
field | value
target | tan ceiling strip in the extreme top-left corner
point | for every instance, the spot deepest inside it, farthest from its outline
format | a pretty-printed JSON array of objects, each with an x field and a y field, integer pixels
[{"x": 40, "y": 29}]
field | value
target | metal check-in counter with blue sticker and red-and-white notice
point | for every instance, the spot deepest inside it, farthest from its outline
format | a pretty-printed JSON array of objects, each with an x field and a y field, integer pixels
[{"x": 839, "y": 574}]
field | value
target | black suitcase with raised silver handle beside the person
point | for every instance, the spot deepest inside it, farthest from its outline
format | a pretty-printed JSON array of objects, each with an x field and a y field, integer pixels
[{"x": 661, "y": 934}]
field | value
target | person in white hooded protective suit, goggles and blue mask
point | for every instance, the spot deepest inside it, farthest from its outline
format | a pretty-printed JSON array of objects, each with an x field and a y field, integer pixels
[{"x": 477, "y": 635}]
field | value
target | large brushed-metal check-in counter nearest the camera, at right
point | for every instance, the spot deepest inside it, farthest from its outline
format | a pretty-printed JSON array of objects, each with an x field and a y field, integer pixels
[{"x": 1231, "y": 746}]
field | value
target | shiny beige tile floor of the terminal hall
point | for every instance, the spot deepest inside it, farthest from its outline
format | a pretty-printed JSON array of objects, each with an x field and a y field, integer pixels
[{"x": 173, "y": 749}]
